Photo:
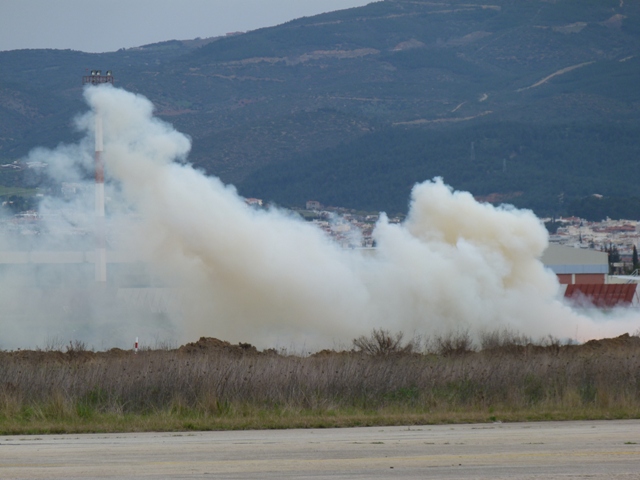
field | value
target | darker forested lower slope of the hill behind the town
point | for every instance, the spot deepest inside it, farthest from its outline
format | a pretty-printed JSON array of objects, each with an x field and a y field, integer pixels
[{"x": 532, "y": 166}]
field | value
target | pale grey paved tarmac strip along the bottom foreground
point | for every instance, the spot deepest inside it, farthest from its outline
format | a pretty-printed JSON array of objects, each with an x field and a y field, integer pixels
[{"x": 594, "y": 450}]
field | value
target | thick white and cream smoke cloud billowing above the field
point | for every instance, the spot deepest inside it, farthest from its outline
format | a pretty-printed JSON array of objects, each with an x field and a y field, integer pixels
[{"x": 271, "y": 279}]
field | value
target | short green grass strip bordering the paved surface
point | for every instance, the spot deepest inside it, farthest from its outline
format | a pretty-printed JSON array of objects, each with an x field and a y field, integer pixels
[{"x": 45, "y": 421}]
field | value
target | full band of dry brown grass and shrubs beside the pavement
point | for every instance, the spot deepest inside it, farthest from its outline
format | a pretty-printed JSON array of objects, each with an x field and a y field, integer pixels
[{"x": 213, "y": 385}]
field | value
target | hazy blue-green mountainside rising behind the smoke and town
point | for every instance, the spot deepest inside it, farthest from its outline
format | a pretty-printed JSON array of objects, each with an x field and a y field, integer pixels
[{"x": 535, "y": 103}]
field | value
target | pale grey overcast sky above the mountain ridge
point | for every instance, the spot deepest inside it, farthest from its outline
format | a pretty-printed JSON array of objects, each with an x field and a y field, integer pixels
[{"x": 107, "y": 25}]
